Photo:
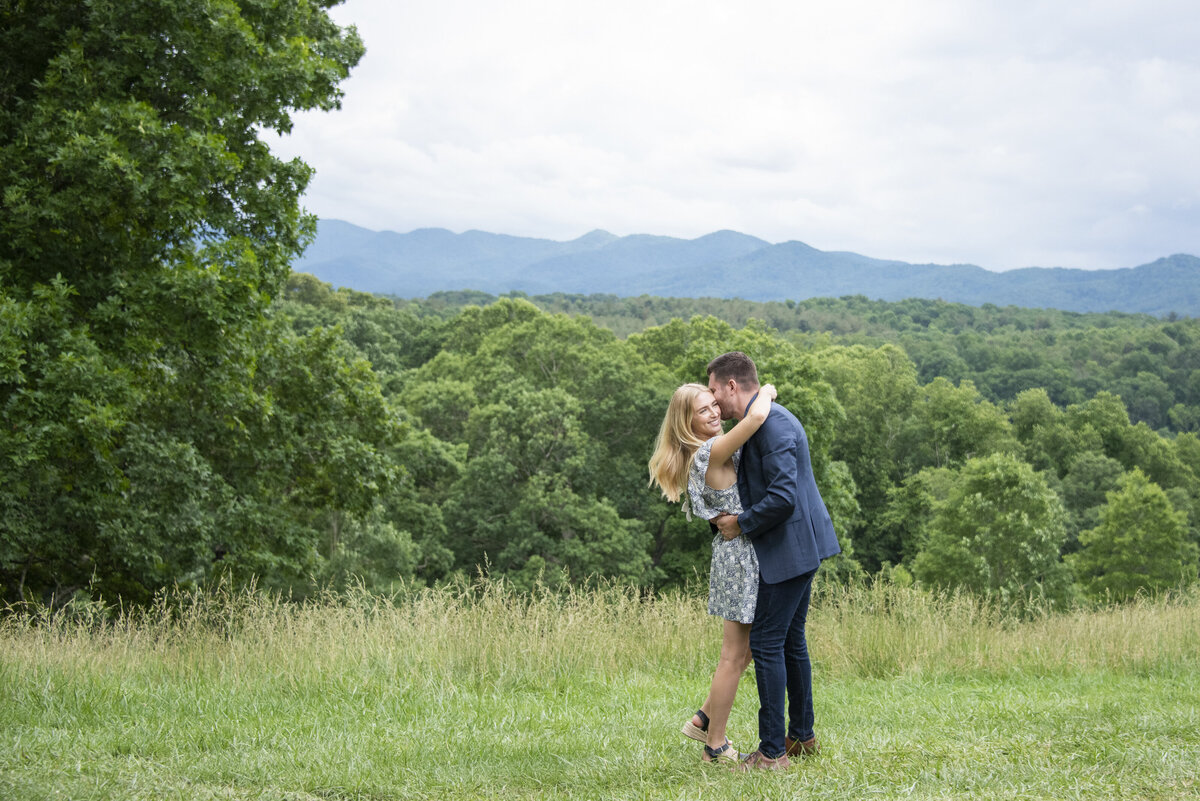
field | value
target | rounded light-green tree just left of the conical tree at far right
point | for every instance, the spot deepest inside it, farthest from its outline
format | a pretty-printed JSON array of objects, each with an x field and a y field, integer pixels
[{"x": 999, "y": 534}]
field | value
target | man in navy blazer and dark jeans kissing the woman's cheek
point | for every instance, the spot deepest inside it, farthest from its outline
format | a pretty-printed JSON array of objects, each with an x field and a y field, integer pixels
[{"x": 791, "y": 532}]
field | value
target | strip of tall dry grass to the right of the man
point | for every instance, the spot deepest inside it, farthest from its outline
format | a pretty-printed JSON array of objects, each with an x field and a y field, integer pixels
[{"x": 883, "y": 630}]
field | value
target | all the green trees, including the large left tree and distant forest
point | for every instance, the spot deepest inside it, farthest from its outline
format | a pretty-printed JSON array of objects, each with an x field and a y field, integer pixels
[{"x": 179, "y": 407}]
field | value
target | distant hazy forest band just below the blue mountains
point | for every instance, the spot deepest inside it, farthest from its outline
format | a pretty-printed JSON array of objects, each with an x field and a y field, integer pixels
[{"x": 1153, "y": 364}]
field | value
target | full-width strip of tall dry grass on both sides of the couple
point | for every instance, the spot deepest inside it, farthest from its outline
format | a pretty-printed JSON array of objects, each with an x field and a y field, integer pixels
[{"x": 489, "y": 634}]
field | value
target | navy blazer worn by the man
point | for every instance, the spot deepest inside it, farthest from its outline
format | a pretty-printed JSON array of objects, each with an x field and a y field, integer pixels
[{"x": 785, "y": 519}]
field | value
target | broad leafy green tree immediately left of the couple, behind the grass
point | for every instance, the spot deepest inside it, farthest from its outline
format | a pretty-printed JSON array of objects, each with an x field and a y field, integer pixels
[{"x": 556, "y": 419}]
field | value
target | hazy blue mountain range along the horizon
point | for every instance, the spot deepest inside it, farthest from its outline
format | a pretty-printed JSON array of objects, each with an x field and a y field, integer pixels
[{"x": 724, "y": 264}]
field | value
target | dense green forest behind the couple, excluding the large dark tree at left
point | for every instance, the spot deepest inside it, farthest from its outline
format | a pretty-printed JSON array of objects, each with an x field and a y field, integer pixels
[{"x": 544, "y": 421}]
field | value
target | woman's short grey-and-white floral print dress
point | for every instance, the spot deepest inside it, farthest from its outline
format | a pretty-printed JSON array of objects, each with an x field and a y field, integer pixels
[{"x": 734, "y": 576}]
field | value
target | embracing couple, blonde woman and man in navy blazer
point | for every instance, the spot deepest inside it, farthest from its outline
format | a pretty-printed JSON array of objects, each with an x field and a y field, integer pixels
[{"x": 755, "y": 486}]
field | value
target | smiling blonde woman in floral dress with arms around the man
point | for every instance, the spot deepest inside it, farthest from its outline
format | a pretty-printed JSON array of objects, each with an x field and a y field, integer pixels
[{"x": 693, "y": 454}]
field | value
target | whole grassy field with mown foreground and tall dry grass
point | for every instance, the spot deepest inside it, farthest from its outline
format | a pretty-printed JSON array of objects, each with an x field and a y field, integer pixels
[{"x": 481, "y": 694}]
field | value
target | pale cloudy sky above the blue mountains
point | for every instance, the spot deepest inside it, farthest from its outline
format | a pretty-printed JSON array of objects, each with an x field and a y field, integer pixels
[{"x": 1001, "y": 134}]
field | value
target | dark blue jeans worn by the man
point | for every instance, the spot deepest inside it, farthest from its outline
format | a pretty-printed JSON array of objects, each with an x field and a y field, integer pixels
[{"x": 782, "y": 664}]
